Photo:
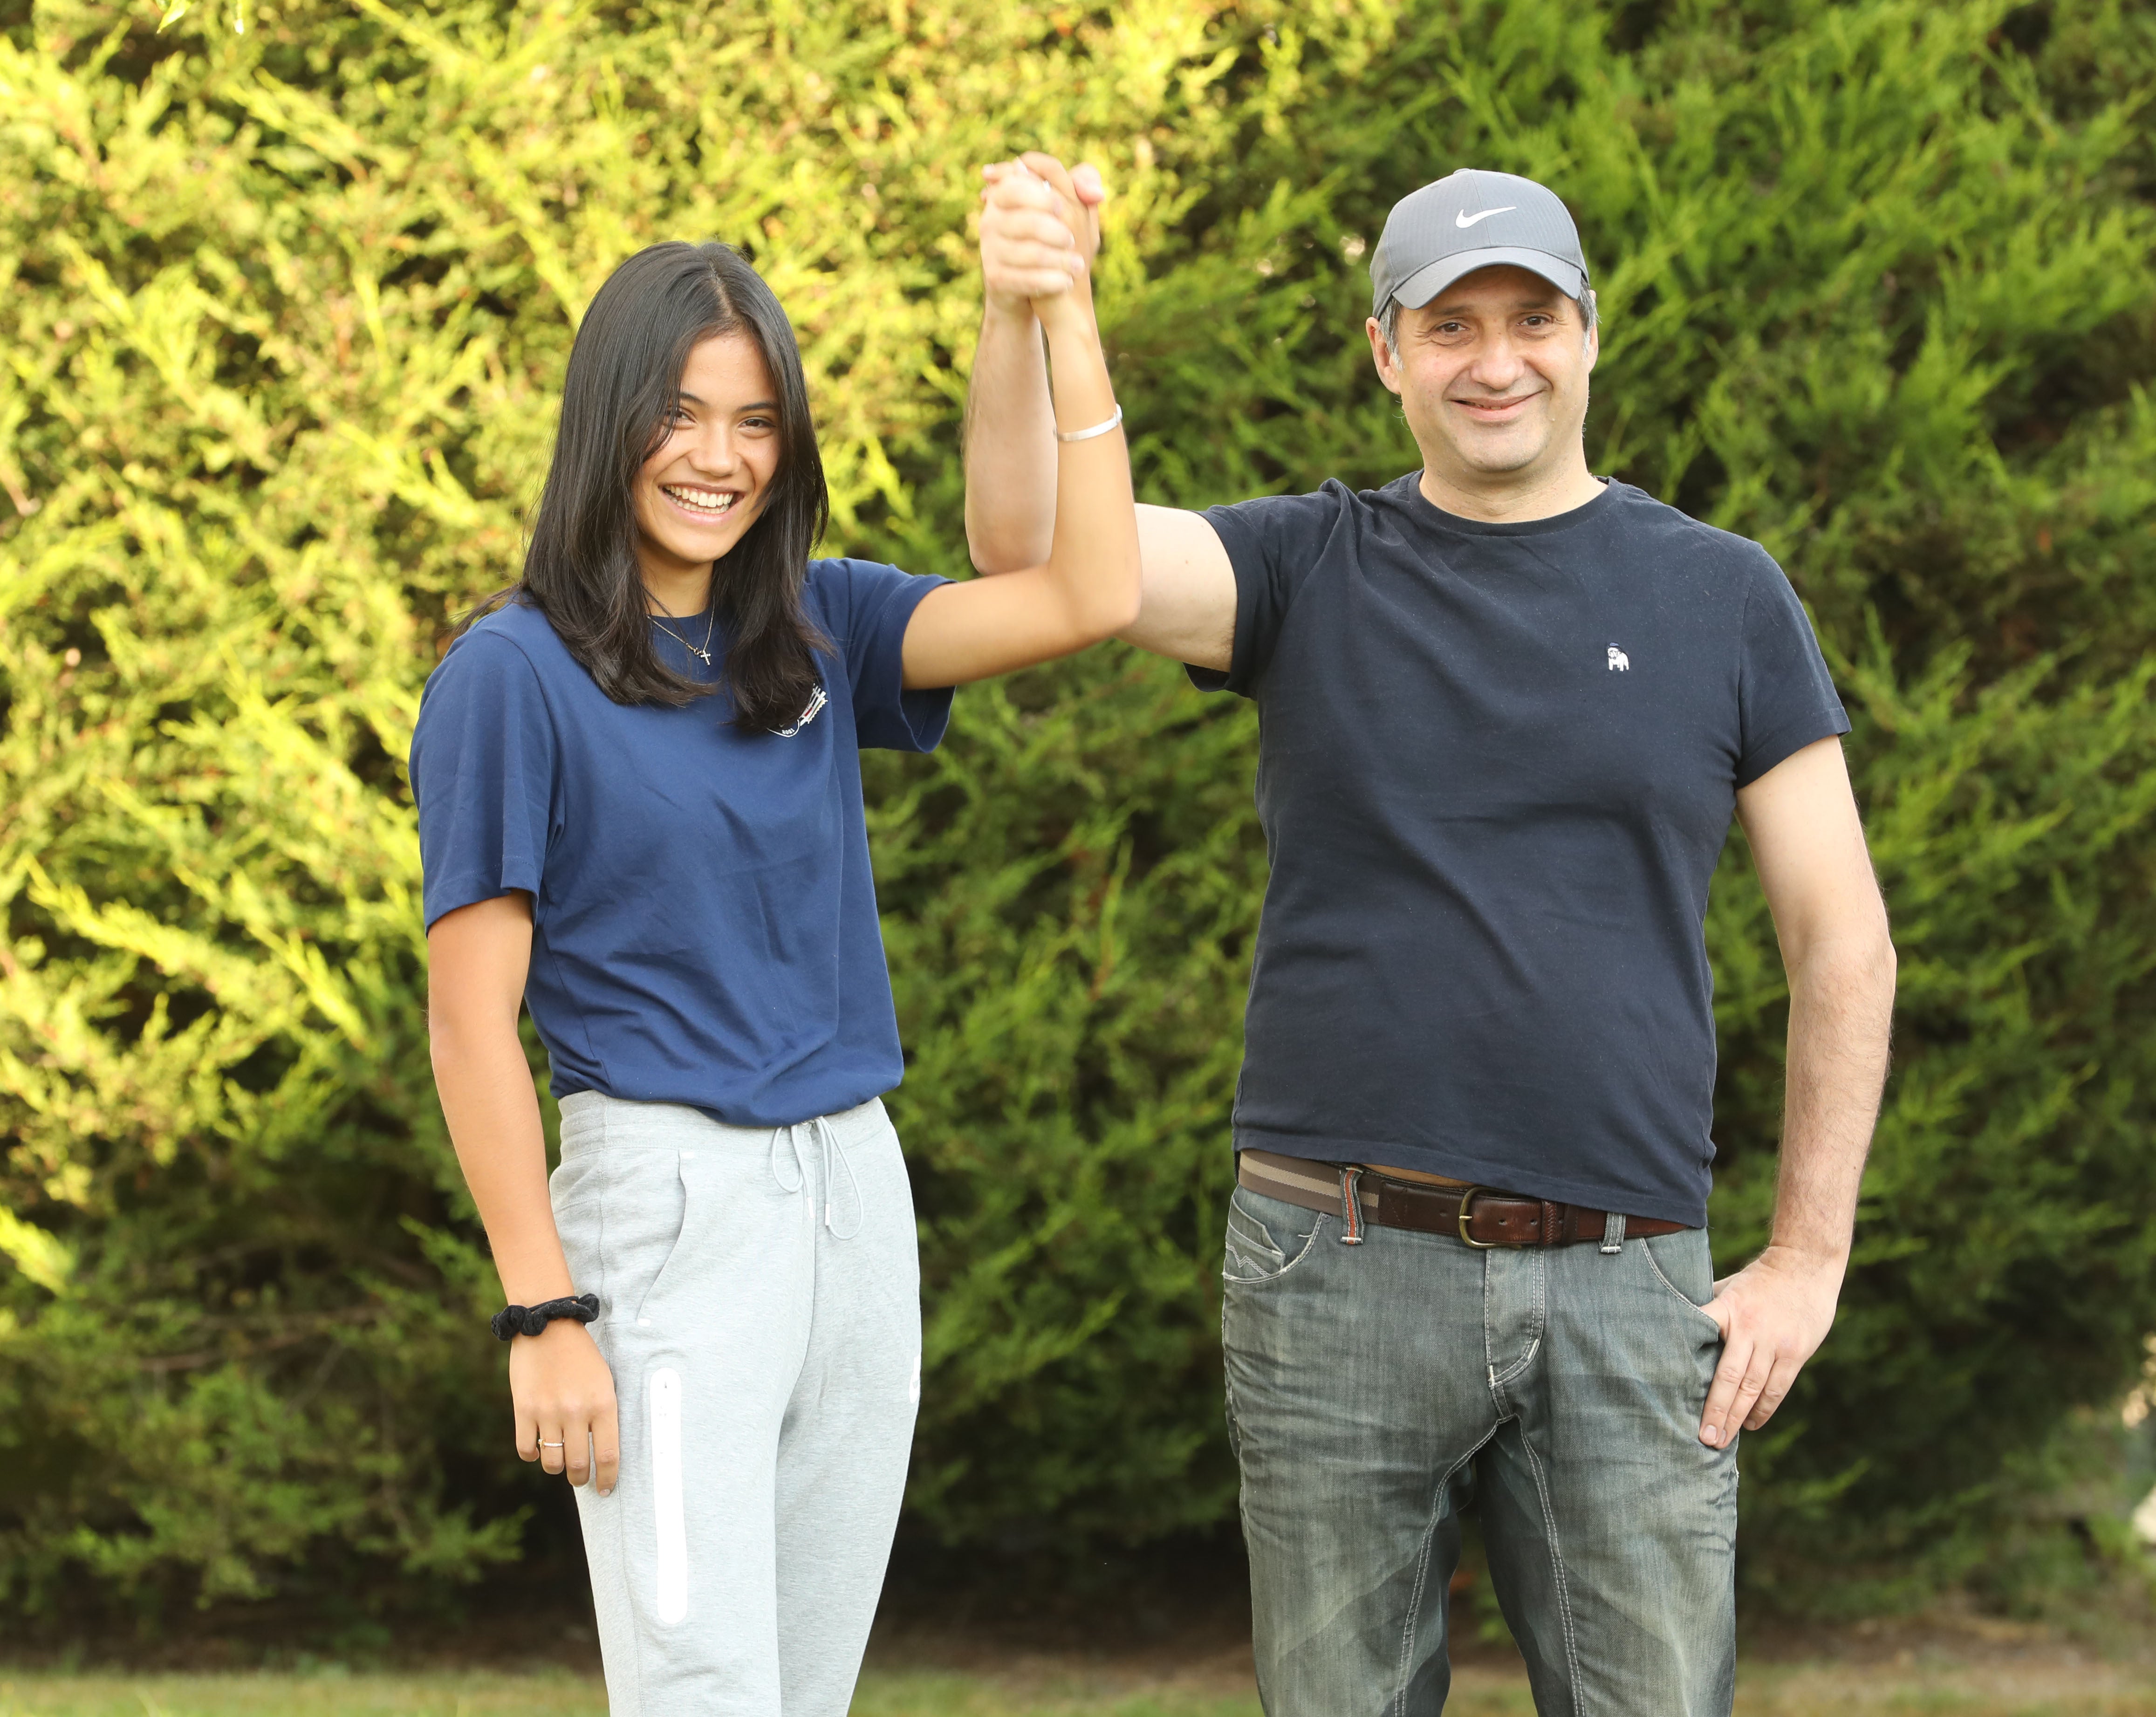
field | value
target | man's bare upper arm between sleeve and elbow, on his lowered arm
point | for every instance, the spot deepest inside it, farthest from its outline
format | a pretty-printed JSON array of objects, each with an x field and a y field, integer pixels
[{"x": 1810, "y": 849}]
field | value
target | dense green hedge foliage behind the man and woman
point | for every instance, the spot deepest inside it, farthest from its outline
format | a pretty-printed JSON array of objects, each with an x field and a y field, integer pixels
[{"x": 286, "y": 307}]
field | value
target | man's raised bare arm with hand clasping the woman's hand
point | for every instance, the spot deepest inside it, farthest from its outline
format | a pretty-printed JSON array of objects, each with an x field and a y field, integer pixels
[{"x": 1038, "y": 236}]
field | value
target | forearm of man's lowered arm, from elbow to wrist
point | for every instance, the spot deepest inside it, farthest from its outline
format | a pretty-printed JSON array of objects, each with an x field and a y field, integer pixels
[{"x": 1840, "y": 1024}]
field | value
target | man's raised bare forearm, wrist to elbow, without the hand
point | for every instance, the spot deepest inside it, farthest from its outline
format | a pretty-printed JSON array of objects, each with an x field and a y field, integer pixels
[{"x": 1010, "y": 445}]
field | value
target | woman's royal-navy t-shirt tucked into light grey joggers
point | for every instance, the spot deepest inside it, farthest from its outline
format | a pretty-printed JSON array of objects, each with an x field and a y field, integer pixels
[{"x": 704, "y": 918}]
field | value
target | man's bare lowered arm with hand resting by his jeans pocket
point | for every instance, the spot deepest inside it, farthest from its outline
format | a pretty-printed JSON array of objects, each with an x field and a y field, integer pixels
[{"x": 1810, "y": 853}]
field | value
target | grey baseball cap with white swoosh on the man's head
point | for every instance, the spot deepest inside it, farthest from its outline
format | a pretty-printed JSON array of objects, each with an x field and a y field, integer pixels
[{"x": 1469, "y": 221}]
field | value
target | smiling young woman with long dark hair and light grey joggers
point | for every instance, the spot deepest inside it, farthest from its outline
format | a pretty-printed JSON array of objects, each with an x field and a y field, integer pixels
[{"x": 639, "y": 793}]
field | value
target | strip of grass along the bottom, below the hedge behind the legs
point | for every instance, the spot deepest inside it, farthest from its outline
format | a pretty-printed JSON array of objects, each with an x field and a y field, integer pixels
[{"x": 2047, "y": 1686}]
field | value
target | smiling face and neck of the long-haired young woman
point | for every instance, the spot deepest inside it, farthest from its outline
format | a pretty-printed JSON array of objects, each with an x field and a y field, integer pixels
[{"x": 713, "y": 473}]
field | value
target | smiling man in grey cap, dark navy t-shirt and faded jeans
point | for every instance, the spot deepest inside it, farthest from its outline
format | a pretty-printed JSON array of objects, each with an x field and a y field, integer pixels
[{"x": 1506, "y": 715}]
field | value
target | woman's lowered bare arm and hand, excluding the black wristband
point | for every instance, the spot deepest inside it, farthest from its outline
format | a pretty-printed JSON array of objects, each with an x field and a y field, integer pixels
[{"x": 559, "y": 1384}]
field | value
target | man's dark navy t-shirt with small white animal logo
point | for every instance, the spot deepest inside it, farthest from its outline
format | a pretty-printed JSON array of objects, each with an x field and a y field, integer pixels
[{"x": 1497, "y": 767}]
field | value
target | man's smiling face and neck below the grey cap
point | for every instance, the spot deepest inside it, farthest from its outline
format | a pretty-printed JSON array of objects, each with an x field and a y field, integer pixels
[{"x": 1493, "y": 381}]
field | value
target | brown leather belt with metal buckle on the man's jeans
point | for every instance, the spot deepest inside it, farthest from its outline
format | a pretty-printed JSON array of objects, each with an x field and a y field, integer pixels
[{"x": 1478, "y": 1215}]
